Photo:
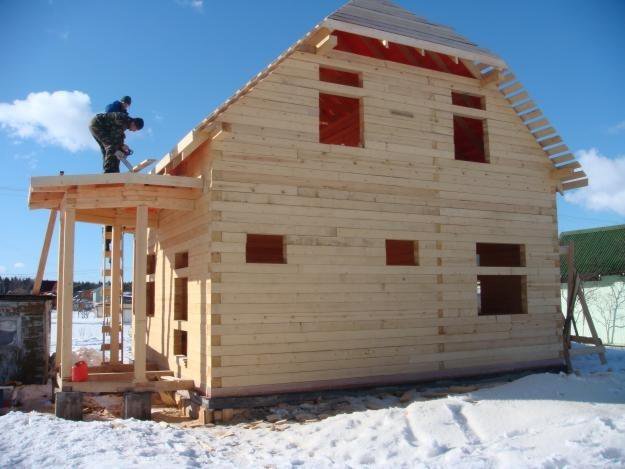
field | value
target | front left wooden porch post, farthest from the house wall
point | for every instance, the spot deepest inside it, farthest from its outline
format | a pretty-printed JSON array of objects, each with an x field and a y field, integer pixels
[{"x": 68, "y": 292}]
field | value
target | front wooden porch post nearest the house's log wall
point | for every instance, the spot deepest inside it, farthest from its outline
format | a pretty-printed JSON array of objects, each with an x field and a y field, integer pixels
[{"x": 139, "y": 293}]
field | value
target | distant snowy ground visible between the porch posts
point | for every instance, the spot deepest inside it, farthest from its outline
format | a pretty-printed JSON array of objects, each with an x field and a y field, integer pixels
[{"x": 87, "y": 335}]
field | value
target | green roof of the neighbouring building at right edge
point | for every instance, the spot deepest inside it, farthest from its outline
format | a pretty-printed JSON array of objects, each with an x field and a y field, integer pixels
[{"x": 598, "y": 251}]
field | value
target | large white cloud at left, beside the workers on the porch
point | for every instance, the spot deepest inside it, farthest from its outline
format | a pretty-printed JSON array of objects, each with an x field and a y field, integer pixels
[{"x": 59, "y": 118}]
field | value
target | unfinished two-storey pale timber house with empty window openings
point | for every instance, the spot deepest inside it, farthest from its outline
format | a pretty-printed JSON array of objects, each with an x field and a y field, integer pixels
[{"x": 377, "y": 206}]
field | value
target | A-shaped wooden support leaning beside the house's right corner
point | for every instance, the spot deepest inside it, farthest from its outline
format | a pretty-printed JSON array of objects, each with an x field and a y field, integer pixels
[{"x": 576, "y": 292}]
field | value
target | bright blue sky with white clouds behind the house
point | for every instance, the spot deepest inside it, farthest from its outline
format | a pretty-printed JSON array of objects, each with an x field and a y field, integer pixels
[{"x": 179, "y": 59}]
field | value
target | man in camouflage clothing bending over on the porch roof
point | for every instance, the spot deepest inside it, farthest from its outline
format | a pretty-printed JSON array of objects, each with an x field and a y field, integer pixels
[{"x": 108, "y": 130}]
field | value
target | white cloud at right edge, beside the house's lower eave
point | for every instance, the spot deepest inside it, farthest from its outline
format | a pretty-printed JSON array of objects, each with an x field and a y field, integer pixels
[{"x": 606, "y": 189}]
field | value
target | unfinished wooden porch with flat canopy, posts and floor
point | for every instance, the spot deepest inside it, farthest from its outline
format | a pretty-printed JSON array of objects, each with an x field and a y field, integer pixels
[{"x": 126, "y": 202}]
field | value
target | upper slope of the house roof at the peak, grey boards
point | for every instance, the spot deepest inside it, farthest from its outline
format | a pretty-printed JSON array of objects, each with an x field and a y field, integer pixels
[{"x": 383, "y": 16}]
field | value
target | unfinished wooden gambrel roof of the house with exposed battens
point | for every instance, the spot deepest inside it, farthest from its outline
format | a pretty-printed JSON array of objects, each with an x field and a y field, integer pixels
[{"x": 383, "y": 20}]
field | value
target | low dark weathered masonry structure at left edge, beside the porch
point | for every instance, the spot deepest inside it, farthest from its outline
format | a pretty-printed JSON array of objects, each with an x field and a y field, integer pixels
[{"x": 24, "y": 338}]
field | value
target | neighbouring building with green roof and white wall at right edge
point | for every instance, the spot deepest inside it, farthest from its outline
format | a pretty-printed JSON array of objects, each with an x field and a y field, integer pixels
[{"x": 600, "y": 260}]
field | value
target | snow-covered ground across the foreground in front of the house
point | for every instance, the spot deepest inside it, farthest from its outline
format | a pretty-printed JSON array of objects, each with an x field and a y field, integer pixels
[{"x": 541, "y": 420}]
